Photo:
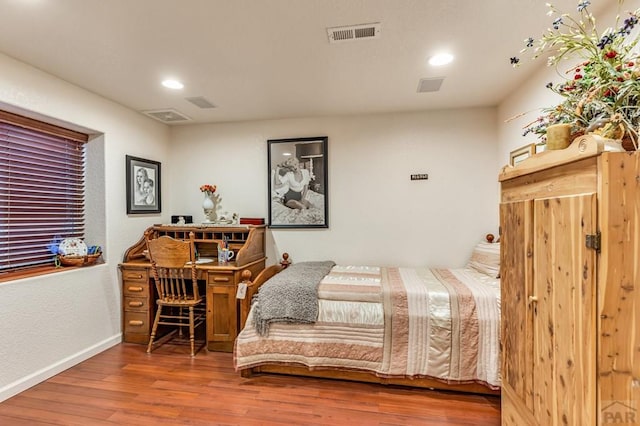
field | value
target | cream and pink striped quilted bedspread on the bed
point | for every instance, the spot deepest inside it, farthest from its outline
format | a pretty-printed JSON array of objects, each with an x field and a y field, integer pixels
[{"x": 394, "y": 322}]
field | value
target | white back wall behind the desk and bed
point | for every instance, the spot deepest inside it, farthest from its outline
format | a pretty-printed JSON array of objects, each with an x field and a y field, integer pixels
[{"x": 376, "y": 214}]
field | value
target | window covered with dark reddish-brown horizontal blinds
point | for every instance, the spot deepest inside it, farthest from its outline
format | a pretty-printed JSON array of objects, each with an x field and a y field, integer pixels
[{"x": 42, "y": 190}]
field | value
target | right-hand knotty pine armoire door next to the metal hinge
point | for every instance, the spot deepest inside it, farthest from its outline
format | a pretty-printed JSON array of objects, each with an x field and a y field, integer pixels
[{"x": 564, "y": 320}]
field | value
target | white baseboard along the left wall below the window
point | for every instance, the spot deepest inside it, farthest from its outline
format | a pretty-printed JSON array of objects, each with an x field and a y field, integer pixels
[{"x": 41, "y": 375}]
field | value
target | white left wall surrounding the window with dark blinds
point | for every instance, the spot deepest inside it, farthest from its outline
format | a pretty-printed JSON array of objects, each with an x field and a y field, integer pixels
[{"x": 51, "y": 322}]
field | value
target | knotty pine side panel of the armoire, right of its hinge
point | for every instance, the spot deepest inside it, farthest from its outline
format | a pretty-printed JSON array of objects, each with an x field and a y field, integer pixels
[{"x": 619, "y": 290}]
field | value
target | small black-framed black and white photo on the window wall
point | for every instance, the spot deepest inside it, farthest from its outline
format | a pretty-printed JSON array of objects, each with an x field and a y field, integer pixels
[{"x": 143, "y": 186}]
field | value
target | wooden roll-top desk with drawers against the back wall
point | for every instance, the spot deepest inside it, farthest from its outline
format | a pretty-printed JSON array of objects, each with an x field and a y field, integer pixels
[{"x": 221, "y": 281}]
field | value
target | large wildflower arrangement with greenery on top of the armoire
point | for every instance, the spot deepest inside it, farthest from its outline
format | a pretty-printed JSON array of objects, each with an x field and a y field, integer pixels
[{"x": 601, "y": 93}]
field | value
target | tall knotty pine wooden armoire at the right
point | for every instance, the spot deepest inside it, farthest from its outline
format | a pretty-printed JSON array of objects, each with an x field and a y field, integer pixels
[{"x": 570, "y": 278}]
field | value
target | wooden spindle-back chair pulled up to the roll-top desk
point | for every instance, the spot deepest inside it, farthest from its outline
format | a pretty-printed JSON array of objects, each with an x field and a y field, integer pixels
[{"x": 178, "y": 301}]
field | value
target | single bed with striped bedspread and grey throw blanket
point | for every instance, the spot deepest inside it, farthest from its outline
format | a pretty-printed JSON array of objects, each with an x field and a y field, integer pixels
[{"x": 423, "y": 327}]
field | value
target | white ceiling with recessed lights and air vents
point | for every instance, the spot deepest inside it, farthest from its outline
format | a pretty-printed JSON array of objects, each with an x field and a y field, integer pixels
[{"x": 270, "y": 59}]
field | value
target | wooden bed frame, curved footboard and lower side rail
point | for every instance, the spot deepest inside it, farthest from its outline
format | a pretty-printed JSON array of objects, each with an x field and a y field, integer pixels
[{"x": 360, "y": 376}]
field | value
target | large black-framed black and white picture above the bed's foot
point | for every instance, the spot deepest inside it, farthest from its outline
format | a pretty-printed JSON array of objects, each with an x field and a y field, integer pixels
[{"x": 298, "y": 193}]
